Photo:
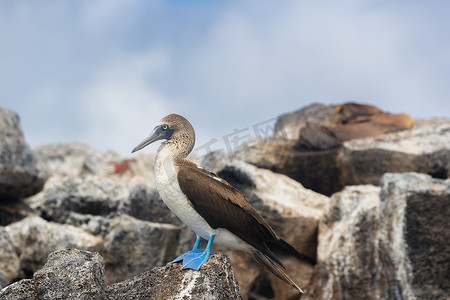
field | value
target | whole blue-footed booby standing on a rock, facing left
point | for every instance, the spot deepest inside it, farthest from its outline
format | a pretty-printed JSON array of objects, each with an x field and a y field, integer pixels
[{"x": 210, "y": 206}]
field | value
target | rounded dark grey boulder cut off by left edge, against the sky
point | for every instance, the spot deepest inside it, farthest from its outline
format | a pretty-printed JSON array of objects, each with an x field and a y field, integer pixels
[{"x": 21, "y": 172}]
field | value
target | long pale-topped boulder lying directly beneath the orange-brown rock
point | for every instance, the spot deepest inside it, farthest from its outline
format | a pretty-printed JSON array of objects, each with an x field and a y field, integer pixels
[{"x": 424, "y": 149}]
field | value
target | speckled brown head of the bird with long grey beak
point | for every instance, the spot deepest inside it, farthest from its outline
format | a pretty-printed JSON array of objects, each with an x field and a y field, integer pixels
[{"x": 176, "y": 130}]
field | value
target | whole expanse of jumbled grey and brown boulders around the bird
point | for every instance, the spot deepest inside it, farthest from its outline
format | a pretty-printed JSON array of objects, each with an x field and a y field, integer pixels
[{"x": 364, "y": 191}]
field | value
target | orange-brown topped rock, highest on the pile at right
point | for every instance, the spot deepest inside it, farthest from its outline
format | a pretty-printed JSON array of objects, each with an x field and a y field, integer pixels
[{"x": 338, "y": 122}]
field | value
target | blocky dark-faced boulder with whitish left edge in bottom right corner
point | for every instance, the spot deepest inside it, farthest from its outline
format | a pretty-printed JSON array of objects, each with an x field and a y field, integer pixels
[{"x": 415, "y": 210}]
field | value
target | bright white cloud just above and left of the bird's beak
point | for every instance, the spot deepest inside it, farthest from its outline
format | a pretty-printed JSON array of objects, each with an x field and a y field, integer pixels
[{"x": 121, "y": 105}]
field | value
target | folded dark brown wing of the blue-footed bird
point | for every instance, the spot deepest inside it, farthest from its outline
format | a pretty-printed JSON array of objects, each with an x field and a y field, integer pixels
[{"x": 223, "y": 206}]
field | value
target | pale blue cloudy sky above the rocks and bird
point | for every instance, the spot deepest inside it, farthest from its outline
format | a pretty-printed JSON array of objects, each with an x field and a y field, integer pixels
[{"x": 104, "y": 72}]
